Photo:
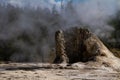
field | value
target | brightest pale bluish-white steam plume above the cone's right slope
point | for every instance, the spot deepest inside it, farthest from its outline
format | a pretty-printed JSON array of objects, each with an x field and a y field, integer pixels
[{"x": 96, "y": 13}]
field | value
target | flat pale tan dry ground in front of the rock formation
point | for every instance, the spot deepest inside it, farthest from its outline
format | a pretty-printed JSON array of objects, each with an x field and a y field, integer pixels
[{"x": 39, "y": 71}]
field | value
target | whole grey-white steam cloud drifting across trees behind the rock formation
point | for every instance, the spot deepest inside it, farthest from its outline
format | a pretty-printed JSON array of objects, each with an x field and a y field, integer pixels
[{"x": 31, "y": 25}]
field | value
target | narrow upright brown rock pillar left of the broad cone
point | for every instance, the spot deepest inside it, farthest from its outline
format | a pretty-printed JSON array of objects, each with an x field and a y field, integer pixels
[{"x": 61, "y": 56}]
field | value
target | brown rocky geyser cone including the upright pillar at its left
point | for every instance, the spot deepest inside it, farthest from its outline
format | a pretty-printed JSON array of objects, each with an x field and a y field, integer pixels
[{"x": 80, "y": 45}]
